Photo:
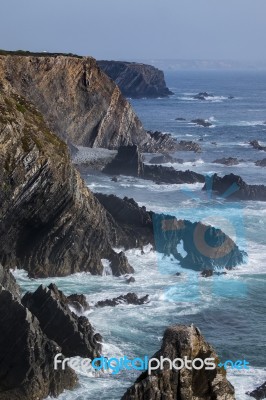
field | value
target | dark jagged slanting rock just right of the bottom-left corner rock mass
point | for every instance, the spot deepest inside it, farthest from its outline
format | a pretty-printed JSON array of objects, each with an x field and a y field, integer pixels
[{"x": 74, "y": 334}]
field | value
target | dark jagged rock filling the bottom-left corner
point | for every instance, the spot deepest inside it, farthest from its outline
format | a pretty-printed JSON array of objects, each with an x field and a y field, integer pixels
[{"x": 27, "y": 355}]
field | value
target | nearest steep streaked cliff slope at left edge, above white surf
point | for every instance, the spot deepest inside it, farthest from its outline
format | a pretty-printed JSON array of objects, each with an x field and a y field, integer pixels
[{"x": 50, "y": 223}]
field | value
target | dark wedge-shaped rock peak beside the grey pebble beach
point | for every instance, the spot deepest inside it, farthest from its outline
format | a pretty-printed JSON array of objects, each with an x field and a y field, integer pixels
[{"x": 128, "y": 161}]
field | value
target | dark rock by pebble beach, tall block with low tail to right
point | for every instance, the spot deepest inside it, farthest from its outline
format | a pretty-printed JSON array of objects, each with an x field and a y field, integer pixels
[{"x": 129, "y": 161}]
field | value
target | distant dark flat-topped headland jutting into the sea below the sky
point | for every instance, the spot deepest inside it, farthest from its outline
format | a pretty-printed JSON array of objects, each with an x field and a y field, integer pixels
[{"x": 136, "y": 80}]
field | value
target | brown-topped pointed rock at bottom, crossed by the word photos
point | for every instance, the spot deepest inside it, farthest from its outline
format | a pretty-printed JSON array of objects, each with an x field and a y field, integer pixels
[{"x": 179, "y": 342}]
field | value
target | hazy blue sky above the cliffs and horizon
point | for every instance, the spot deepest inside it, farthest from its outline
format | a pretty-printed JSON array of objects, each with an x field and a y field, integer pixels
[{"x": 139, "y": 29}]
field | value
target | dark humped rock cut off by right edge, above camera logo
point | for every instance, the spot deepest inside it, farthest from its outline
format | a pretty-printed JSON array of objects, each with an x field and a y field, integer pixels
[{"x": 238, "y": 189}]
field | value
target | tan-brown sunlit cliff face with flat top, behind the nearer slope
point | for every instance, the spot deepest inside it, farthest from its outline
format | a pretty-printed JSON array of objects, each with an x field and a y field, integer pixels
[{"x": 78, "y": 101}]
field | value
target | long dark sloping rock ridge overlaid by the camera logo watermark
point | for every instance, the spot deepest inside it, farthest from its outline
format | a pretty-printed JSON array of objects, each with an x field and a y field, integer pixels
[{"x": 206, "y": 246}]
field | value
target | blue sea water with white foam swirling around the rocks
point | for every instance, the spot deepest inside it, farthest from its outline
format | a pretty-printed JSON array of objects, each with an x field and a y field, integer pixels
[{"x": 229, "y": 309}]
